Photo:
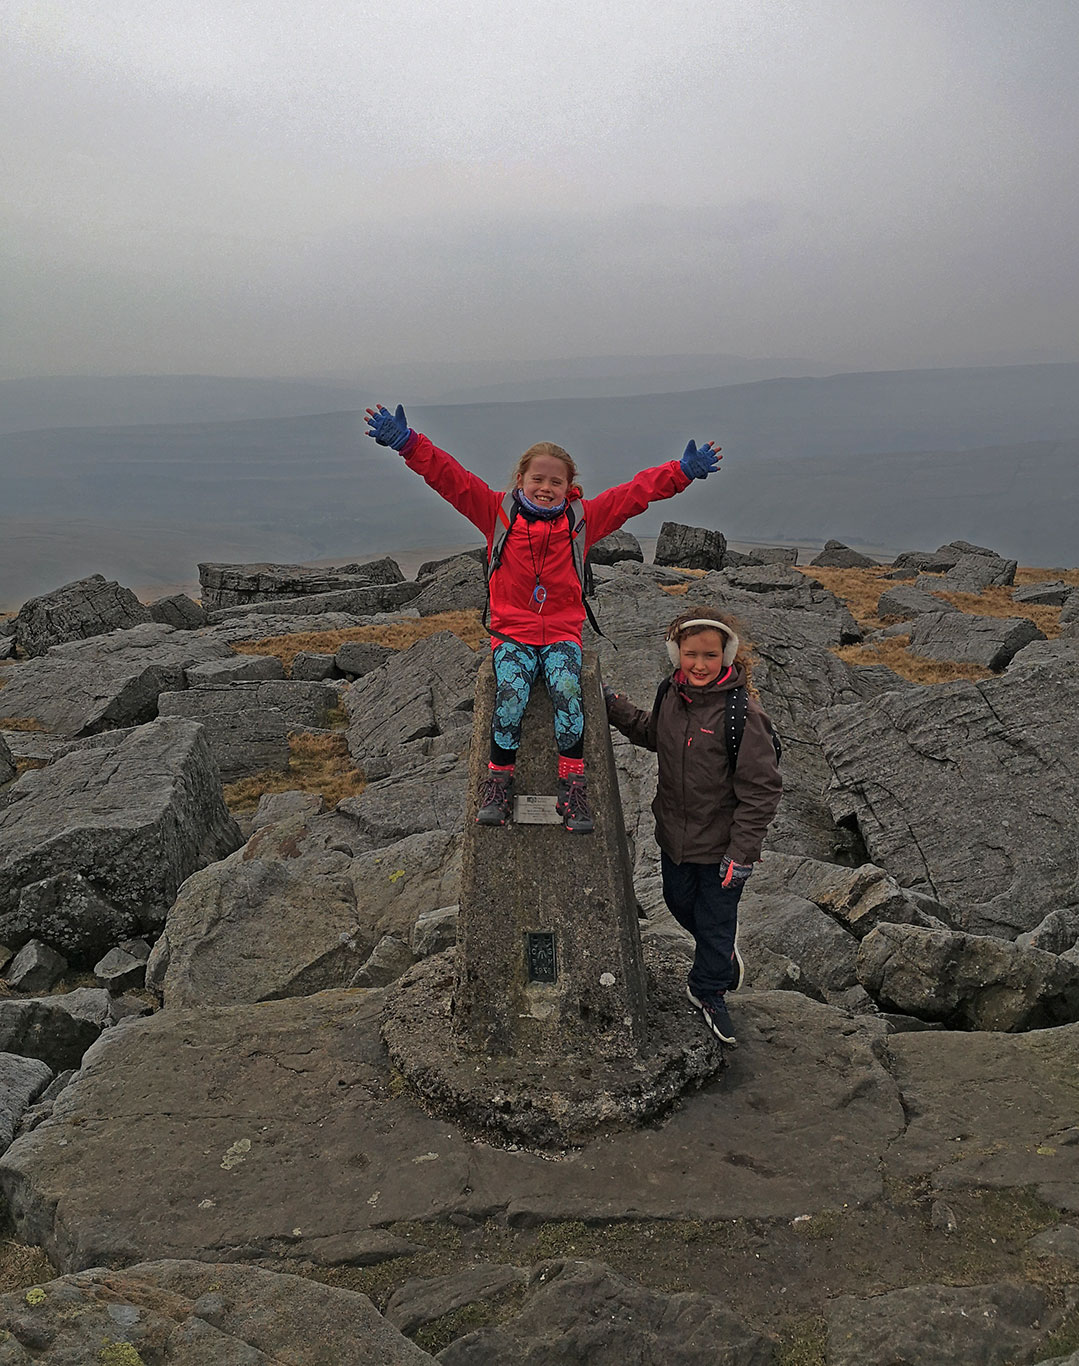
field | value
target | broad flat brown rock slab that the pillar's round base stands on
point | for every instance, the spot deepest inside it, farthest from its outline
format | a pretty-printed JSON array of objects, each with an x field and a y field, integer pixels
[{"x": 263, "y": 1130}]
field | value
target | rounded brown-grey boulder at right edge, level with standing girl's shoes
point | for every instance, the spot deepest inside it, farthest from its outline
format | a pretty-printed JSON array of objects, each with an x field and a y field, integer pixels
[{"x": 968, "y": 981}]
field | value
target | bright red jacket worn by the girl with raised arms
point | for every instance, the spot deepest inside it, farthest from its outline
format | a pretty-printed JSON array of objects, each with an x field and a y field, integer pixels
[{"x": 539, "y": 550}]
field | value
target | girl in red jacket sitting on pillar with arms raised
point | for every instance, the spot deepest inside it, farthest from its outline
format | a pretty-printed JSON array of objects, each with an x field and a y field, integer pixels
[{"x": 537, "y": 609}]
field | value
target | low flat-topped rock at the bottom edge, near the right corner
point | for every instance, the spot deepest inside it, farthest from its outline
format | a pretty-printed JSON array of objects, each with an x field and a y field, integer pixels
[{"x": 925, "y": 1326}]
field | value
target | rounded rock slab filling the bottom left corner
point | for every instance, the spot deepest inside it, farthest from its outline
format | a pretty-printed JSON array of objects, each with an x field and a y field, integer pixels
[{"x": 181, "y": 1313}]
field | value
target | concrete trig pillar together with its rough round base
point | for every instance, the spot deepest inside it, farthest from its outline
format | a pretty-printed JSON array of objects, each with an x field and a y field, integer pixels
[{"x": 547, "y": 1024}]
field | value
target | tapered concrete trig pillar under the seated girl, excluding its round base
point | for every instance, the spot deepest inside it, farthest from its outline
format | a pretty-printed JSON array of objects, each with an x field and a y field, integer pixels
[{"x": 548, "y": 945}]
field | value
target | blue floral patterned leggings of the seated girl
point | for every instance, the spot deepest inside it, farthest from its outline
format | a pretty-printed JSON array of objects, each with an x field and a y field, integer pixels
[{"x": 517, "y": 667}]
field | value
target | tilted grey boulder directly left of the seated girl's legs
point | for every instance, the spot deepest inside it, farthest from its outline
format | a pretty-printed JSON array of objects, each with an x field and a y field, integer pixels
[{"x": 419, "y": 695}]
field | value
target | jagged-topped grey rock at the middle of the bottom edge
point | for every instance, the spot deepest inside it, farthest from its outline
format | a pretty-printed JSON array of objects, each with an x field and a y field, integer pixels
[{"x": 558, "y": 1326}]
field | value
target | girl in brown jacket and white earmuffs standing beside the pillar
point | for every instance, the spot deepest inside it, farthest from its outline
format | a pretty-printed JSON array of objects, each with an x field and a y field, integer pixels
[{"x": 711, "y": 820}]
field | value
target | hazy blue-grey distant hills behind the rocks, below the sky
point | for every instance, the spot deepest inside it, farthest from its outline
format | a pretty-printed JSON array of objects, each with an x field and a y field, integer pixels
[{"x": 805, "y": 460}]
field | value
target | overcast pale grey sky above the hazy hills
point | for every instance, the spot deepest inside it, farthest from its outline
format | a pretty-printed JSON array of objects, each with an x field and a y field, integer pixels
[{"x": 283, "y": 188}]
